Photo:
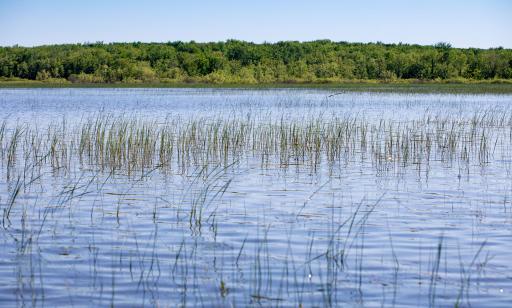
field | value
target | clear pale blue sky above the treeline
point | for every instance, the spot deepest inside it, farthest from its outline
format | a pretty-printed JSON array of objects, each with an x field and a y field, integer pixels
[{"x": 463, "y": 23}]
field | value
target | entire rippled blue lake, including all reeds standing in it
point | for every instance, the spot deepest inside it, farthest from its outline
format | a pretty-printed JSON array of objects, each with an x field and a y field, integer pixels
[{"x": 262, "y": 198}]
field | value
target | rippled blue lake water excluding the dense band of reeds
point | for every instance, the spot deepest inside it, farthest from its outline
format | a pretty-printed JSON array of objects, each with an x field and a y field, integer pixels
[{"x": 266, "y": 236}]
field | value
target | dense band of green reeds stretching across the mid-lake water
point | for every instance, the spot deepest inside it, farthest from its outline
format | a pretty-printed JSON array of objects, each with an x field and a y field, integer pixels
[{"x": 132, "y": 145}]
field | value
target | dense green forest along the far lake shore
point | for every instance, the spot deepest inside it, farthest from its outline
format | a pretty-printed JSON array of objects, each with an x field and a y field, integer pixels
[{"x": 243, "y": 62}]
